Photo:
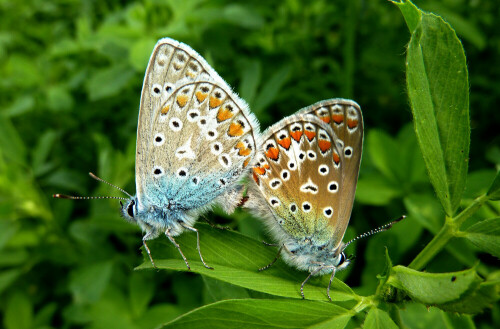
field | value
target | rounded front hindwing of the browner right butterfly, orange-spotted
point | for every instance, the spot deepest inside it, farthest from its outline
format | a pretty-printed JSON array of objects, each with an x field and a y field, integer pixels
[{"x": 299, "y": 177}]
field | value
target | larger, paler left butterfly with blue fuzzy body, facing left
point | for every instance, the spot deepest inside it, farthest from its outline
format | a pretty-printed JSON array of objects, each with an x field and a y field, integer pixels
[{"x": 195, "y": 140}]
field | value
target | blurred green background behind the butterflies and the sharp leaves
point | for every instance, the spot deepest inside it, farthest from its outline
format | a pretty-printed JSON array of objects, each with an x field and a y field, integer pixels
[{"x": 71, "y": 75}]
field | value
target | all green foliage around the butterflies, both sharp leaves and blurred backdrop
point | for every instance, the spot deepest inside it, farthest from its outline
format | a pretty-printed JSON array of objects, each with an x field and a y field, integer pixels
[{"x": 69, "y": 94}]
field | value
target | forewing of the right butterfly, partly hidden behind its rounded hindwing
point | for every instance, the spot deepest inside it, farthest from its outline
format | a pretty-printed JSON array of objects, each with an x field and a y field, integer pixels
[{"x": 345, "y": 118}]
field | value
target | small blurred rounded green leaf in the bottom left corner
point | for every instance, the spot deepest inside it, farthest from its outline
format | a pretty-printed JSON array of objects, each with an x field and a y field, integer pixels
[{"x": 19, "y": 312}]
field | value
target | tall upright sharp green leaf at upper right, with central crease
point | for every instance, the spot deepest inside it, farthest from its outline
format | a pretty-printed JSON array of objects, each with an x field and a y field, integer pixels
[{"x": 438, "y": 89}]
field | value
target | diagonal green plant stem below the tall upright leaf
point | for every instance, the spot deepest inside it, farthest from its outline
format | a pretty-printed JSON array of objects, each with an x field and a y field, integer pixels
[{"x": 449, "y": 230}]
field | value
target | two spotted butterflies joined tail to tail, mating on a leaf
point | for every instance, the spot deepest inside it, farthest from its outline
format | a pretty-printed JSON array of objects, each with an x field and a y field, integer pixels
[{"x": 196, "y": 139}]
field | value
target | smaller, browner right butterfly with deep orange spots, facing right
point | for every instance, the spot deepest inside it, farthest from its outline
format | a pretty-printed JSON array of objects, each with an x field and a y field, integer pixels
[{"x": 304, "y": 183}]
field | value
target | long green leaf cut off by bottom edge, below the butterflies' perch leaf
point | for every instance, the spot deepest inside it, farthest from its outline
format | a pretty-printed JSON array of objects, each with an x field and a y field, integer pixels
[{"x": 255, "y": 313}]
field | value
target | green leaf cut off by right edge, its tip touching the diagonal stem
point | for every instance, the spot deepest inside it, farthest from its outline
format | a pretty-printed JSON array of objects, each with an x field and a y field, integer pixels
[{"x": 485, "y": 235}]
